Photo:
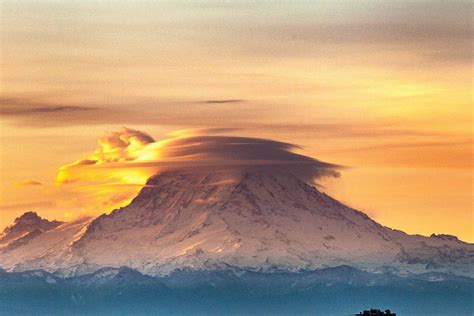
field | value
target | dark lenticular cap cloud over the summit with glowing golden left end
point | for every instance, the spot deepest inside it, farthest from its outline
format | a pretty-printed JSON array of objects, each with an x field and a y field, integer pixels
[{"x": 131, "y": 149}]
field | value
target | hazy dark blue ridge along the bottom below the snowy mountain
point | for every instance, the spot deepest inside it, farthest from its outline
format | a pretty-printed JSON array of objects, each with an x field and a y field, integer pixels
[{"x": 332, "y": 291}]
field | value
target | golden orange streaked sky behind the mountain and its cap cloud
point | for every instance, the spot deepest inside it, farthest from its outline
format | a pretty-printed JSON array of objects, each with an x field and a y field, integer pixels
[{"x": 381, "y": 89}]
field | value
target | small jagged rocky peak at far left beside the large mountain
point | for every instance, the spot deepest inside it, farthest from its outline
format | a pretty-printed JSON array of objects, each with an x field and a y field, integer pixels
[{"x": 25, "y": 228}]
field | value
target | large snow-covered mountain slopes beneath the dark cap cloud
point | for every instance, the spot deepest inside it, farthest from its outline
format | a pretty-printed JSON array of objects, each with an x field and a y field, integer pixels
[{"x": 263, "y": 220}]
